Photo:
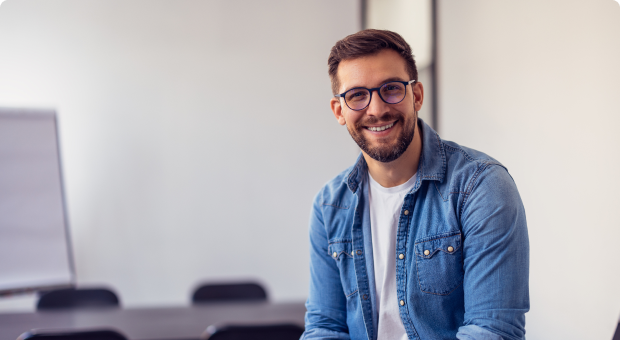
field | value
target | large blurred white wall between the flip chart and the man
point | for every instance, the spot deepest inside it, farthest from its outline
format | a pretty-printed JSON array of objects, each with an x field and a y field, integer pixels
[{"x": 194, "y": 133}]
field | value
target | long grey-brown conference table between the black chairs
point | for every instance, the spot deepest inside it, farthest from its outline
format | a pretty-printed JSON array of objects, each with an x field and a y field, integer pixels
[{"x": 155, "y": 323}]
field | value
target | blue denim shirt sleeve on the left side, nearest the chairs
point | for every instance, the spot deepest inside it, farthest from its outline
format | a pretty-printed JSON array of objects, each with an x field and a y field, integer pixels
[{"x": 326, "y": 315}]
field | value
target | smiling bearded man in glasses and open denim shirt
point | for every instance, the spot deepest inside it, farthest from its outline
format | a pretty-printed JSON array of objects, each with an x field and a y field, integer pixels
[{"x": 421, "y": 238}]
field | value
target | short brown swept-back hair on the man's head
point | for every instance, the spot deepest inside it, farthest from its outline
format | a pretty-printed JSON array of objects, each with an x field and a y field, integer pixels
[{"x": 365, "y": 43}]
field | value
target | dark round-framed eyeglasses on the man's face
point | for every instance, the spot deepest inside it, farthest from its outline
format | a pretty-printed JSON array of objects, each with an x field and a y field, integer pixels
[{"x": 359, "y": 98}]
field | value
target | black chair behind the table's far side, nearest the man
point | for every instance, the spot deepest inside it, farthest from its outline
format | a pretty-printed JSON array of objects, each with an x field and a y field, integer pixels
[{"x": 246, "y": 291}]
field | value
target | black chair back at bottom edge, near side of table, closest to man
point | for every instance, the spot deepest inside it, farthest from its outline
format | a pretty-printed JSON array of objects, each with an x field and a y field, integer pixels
[{"x": 262, "y": 332}]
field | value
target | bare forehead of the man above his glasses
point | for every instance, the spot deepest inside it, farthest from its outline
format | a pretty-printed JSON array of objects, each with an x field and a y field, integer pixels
[{"x": 372, "y": 70}]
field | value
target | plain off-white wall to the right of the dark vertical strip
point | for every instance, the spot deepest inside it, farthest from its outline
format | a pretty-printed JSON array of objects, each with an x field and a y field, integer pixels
[{"x": 535, "y": 85}]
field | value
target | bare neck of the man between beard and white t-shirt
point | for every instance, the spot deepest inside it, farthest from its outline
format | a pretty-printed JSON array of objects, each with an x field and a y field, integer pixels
[{"x": 400, "y": 170}]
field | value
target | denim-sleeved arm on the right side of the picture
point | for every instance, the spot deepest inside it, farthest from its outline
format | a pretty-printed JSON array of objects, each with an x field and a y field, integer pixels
[{"x": 496, "y": 258}]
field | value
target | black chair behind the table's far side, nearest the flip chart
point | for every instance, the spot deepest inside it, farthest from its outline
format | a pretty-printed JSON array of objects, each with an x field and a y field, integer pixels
[{"x": 77, "y": 298}]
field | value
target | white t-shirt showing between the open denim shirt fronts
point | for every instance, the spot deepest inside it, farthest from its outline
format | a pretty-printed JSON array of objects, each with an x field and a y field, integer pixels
[{"x": 385, "y": 206}]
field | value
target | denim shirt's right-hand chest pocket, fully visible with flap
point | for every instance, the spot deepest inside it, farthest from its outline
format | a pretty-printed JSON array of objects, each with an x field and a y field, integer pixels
[{"x": 439, "y": 260}]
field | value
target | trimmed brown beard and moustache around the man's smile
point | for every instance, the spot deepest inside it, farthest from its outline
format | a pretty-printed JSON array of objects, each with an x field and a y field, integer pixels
[{"x": 385, "y": 152}]
